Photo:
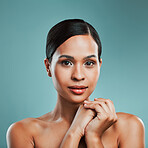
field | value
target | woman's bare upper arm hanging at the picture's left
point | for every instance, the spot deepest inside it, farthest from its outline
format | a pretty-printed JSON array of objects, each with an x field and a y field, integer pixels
[{"x": 18, "y": 136}]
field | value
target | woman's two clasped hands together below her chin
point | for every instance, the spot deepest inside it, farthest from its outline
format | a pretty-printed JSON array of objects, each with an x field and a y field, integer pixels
[{"x": 93, "y": 118}]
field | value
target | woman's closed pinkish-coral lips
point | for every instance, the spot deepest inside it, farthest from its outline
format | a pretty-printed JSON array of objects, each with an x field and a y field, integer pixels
[{"x": 78, "y": 90}]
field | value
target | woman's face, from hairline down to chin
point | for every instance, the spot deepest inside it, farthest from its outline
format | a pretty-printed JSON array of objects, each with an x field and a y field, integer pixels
[{"x": 75, "y": 68}]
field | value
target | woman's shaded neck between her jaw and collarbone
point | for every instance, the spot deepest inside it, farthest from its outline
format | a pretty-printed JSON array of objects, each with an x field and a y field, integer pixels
[{"x": 65, "y": 110}]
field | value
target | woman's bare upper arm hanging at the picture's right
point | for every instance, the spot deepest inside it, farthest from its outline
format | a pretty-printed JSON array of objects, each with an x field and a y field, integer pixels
[{"x": 132, "y": 132}]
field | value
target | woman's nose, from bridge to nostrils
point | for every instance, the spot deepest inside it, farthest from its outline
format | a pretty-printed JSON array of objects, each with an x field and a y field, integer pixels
[{"x": 77, "y": 73}]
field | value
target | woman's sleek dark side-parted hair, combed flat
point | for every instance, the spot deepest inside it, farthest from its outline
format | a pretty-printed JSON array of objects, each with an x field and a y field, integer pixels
[{"x": 62, "y": 31}]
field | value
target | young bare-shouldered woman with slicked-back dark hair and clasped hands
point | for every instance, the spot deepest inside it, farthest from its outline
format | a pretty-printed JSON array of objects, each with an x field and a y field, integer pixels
[{"x": 73, "y": 62}]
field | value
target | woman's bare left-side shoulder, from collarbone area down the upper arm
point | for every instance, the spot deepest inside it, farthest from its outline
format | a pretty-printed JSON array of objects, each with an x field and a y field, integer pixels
[{"x": 23, "y": 132}]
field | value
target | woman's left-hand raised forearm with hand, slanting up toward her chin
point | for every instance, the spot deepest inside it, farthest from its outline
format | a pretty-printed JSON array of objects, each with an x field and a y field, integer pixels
[{"x": 76, "y": 130}]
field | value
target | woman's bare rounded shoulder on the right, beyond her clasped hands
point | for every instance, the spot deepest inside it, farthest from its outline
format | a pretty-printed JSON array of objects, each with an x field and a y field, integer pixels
[{"x": 129, "y": 127}]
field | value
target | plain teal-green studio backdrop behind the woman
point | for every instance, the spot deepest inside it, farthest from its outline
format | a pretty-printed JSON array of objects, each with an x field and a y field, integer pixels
[{"x": 25, "y": 88}]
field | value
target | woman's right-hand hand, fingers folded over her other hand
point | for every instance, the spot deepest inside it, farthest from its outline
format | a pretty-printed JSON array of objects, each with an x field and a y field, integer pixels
[{"x": 105, "y": 116}]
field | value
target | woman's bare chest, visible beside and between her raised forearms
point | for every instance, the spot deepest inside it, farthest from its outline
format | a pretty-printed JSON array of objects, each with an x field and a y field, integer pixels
[{"x": 52, "y": 138}]
